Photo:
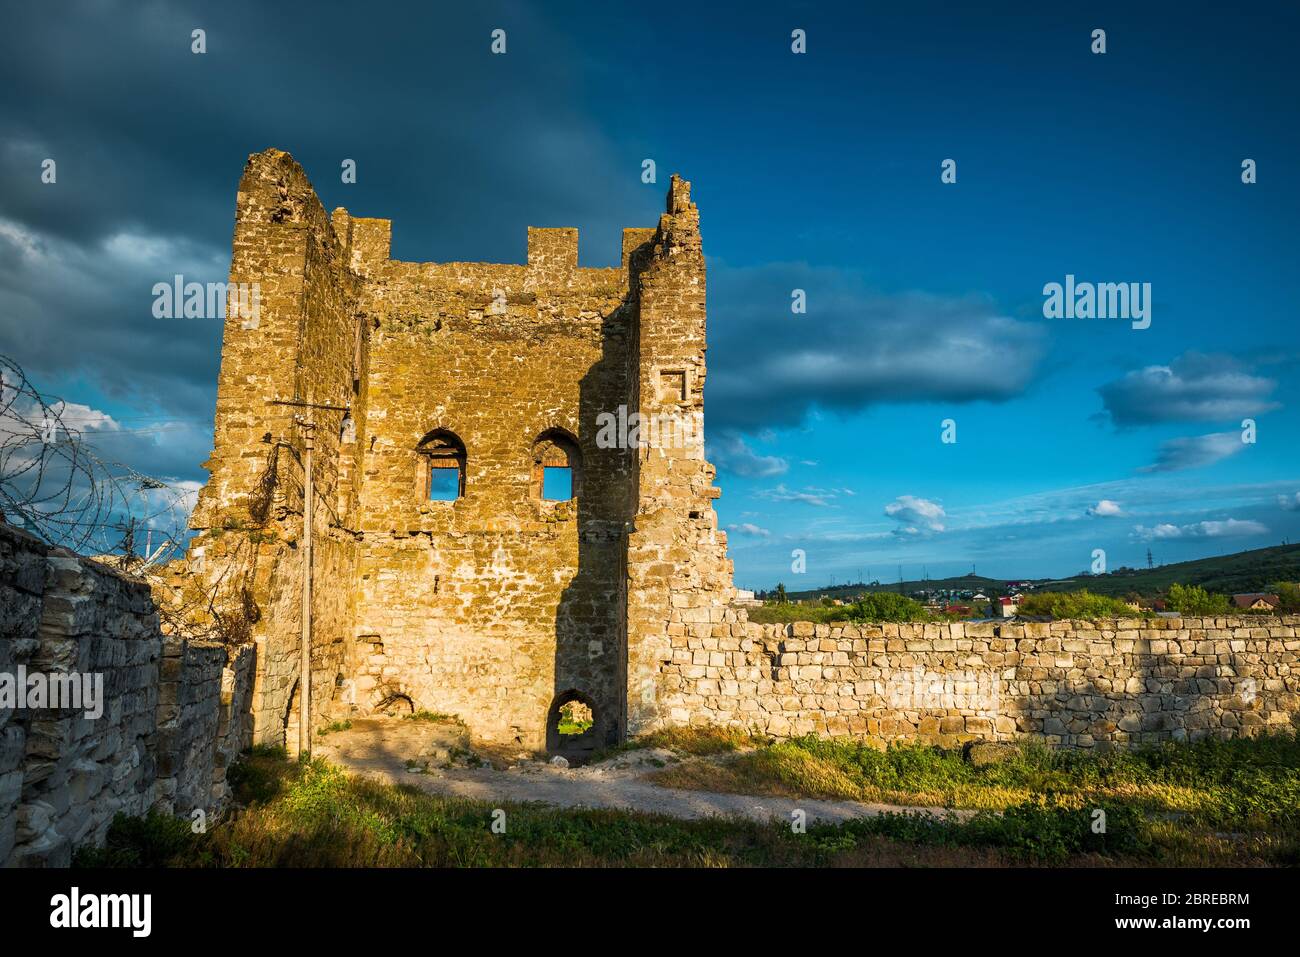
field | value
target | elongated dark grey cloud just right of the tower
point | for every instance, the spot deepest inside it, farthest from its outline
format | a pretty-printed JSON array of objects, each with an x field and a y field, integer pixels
[{"x": 853, "y": 348}]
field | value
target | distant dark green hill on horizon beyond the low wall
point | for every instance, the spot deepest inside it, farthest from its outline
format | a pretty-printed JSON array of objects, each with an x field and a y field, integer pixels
[{"x": 1242, "y": 571}]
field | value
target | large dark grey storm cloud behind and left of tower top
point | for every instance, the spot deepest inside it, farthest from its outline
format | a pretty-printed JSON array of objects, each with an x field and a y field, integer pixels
[{"x": 463, "y": 150}]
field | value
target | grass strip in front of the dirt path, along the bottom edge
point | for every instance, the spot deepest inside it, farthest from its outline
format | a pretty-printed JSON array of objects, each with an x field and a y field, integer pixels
[{"x": 314, "y": 816}]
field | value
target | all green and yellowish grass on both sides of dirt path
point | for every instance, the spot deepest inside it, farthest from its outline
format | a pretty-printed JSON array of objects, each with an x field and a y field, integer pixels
[{"x": 1206, "y": 804}]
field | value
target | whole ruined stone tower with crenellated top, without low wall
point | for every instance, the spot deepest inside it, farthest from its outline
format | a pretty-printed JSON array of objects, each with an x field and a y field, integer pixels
[{"x": 448, "y": 577}]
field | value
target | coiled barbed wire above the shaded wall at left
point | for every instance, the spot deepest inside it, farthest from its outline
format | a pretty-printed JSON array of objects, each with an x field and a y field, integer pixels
[{"x": 57, "y": 486}]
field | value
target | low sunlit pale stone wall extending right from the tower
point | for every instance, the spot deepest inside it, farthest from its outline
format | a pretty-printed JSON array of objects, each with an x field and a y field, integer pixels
[{"x": 1076, "y": 685}]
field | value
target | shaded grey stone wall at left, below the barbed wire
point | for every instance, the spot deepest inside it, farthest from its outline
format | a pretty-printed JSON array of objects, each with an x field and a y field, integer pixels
[{"x": 66, "y": 776}]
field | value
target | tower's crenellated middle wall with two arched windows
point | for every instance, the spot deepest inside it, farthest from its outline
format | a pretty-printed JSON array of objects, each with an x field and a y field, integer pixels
[{"x": 493, "y": 605}]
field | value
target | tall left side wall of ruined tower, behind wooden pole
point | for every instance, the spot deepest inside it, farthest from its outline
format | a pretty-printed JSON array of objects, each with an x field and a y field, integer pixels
[{"x": 306, "y": 347}]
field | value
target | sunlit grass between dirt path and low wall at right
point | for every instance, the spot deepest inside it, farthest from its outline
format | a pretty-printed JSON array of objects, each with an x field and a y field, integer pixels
[{"x": 1189, "y": 795}]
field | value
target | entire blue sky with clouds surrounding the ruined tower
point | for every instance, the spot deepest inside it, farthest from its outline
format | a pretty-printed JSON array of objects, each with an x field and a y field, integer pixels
[{"x": 817, "y": 172}]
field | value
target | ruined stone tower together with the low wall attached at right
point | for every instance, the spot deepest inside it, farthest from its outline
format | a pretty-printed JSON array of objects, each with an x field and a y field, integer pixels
[{"x": 500, "y": 604}]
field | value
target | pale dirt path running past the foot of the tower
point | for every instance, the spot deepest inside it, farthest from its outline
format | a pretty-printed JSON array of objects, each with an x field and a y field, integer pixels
[{"x": 382, "y": 750}]
